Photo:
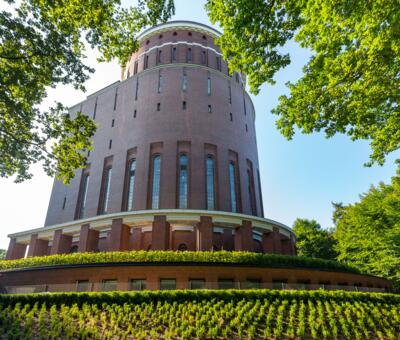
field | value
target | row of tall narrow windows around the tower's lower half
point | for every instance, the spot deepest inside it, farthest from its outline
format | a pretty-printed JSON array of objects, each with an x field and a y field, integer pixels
[{"x": 183, "y": 185}]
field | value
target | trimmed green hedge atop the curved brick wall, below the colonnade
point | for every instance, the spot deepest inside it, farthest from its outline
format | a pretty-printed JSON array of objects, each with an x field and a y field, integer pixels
[{"x": 243, "y": 258}]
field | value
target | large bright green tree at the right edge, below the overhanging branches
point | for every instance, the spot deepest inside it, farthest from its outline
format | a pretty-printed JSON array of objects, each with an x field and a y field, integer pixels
[{"x": 368, "y": 232}]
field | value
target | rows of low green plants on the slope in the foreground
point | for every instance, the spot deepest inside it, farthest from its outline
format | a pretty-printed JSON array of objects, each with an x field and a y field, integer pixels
[{"x": 201, "y": 315}]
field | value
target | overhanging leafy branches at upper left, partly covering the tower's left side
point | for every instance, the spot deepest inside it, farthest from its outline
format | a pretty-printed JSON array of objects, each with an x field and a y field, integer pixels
[{"x": 41, "y": 46}]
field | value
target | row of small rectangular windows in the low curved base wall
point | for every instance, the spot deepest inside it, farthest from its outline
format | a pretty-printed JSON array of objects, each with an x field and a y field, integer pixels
[{"x": 199, "y": 283}]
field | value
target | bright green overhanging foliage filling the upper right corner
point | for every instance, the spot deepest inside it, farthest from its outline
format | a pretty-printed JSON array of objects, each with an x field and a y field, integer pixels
[{"x": 350, "y": 85}]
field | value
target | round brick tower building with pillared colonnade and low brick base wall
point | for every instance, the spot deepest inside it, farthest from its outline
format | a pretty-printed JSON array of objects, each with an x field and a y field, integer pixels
[{"x": 174, "y": 166}]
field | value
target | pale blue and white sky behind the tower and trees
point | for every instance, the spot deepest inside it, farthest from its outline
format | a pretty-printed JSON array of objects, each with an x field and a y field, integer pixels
[{"x": 300, "y": 178}]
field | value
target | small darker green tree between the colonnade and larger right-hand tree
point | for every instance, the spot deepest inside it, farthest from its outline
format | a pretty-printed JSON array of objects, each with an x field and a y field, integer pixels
[{"x": 312, "y": 240}]
